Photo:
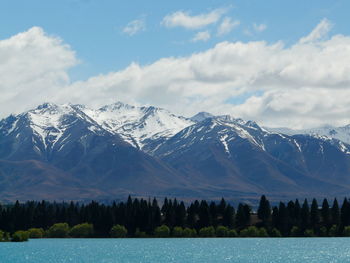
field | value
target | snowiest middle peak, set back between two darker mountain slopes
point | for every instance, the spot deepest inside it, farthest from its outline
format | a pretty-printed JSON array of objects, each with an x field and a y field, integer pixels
[{"x": 140, "y": 126}]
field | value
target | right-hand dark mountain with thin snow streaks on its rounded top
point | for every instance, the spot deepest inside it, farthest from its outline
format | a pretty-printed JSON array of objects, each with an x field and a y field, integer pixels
[{"x": 230, "y": 154}]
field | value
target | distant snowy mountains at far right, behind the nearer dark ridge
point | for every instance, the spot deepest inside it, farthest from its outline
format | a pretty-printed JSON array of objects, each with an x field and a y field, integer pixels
[{"x": 340, "y": 133}]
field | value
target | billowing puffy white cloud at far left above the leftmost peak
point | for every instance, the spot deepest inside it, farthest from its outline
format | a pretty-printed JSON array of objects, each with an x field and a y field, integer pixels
[{"x": 33, "y": 65}]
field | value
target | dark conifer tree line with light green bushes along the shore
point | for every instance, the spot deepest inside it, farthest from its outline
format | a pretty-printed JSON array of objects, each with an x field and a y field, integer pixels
[{"x": 146, "y": 218}]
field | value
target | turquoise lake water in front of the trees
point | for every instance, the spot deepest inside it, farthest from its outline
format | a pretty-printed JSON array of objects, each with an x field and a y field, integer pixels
[{"x": 255, "y": 250}]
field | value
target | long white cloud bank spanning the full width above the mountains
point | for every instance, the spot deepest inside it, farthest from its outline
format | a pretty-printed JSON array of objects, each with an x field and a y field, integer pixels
[{"x": 302, "y": 85}]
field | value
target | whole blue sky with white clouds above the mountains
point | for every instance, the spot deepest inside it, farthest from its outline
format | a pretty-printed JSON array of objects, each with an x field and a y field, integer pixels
[{"x": 280, "y": 63}]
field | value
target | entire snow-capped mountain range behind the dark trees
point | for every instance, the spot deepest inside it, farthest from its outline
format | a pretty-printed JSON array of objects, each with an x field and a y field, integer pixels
[{"x": 73, "y": 152}]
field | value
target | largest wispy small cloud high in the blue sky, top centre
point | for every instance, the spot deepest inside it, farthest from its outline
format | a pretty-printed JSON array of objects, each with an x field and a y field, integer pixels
[{"x": 184, "y": 19}]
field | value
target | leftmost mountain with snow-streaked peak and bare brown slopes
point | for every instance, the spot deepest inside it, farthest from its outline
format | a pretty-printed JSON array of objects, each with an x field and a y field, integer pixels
[{"x": 65, "y": 140}]
